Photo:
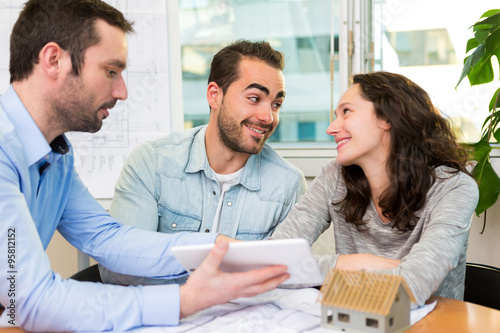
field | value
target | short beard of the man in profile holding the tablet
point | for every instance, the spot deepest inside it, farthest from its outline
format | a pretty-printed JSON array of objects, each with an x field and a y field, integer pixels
[{"x": 75, "y": 109}]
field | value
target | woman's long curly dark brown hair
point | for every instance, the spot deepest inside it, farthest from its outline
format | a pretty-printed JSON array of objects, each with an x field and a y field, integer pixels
[{"x": 421, "y": 140}]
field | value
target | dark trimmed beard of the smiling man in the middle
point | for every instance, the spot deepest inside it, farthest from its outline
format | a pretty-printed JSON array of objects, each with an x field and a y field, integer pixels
[{"x": 230, "y": 132}]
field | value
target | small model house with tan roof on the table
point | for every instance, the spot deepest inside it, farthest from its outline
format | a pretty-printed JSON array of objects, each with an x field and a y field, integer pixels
[{"x": 358, "y": 301}]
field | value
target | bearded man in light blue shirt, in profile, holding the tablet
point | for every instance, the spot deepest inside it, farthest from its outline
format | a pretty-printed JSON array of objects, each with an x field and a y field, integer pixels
[{"x": 67, "y": 59}]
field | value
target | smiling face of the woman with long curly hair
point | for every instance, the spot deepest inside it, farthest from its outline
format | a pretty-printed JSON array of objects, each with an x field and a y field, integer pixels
[{"x": 362, "y": 139}]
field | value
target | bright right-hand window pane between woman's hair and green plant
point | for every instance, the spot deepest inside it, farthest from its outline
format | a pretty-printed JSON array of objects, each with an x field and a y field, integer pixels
[{"x": 416, "y": 39}]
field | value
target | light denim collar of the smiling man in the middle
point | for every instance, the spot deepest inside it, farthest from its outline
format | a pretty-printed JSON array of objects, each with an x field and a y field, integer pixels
[{"x": 198, "y": 161}]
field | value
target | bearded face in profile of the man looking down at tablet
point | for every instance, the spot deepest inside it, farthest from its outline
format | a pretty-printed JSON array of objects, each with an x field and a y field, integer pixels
[{"x": 85, "y": 99}]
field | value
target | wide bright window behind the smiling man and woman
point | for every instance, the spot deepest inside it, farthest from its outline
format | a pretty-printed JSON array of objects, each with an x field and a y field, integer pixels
[{"x": 412, "y": 38}]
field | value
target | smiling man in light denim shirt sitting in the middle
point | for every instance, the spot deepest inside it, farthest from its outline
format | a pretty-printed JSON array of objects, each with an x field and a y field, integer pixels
[{"x": 220, "y": 177}]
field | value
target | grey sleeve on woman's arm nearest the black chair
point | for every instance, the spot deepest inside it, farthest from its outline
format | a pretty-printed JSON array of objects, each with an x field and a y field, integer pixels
[{"x": 443, "y": 239}]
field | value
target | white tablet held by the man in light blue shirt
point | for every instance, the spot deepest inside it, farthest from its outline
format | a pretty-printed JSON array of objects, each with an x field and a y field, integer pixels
[{"x": 247, "y": 255}]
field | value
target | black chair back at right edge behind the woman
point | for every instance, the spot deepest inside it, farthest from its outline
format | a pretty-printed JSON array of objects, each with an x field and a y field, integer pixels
[{"x": 482, "y": 285}]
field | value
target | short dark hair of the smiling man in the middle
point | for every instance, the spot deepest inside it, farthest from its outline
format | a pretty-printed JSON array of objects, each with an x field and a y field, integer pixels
[{"x": 224, "y": 69}]
